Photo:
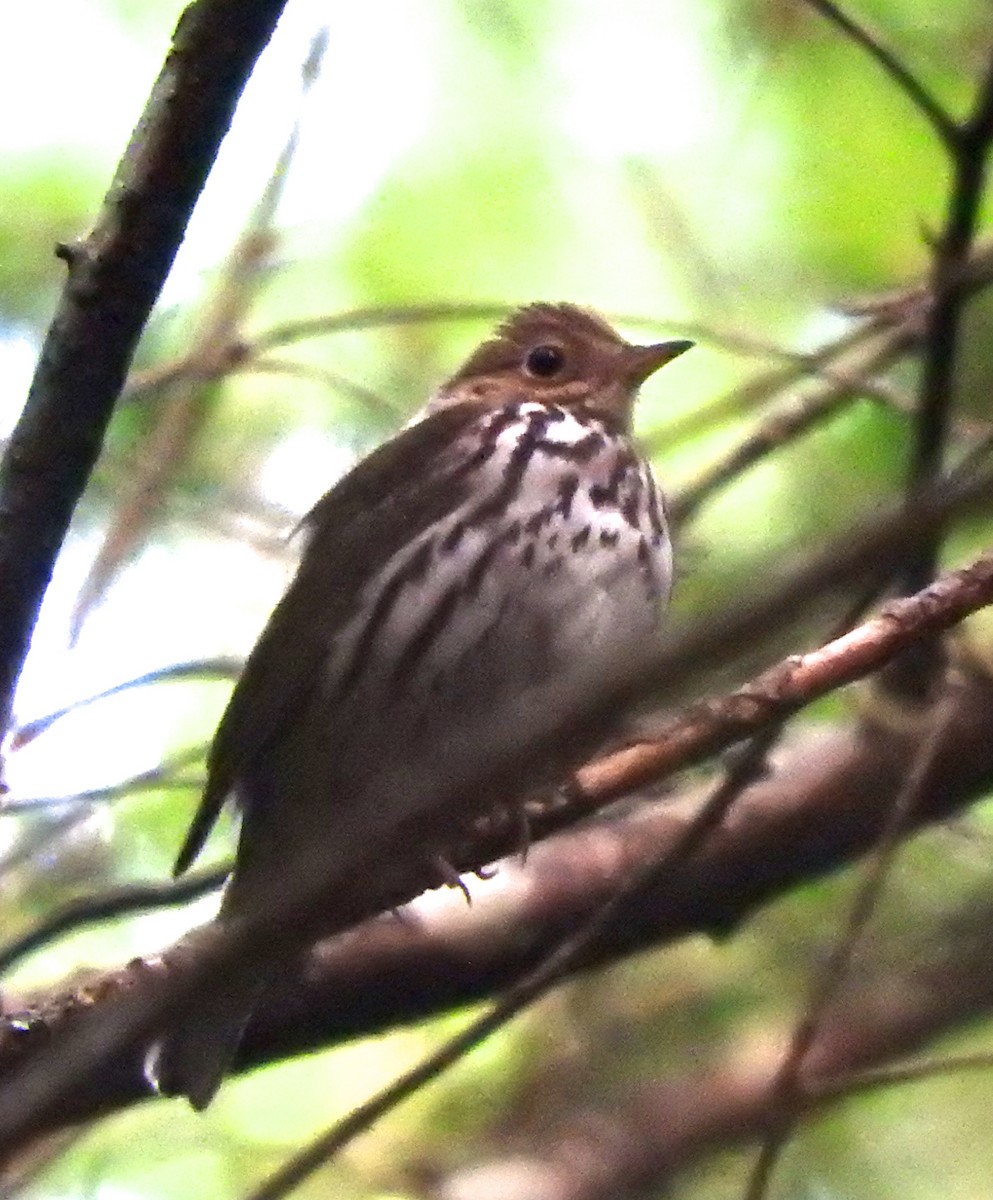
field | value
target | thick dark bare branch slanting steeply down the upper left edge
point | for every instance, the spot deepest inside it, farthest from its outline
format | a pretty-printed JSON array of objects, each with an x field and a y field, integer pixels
[{"x": 115, "y": 278}]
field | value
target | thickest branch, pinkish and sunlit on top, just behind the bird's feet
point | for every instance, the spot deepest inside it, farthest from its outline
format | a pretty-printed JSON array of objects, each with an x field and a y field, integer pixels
[{"x": 823, "y": 806}]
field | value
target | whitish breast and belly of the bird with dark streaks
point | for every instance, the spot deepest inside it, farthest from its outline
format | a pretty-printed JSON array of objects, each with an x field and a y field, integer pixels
[{"x": 484, "y": 631}]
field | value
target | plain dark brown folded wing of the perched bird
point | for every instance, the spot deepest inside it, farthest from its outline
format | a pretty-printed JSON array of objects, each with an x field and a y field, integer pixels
[{"x": 354, "y": 531}]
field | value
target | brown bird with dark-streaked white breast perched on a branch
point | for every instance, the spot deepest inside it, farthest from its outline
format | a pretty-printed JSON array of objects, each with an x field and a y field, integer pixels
[{"x": 509, "y": 538}]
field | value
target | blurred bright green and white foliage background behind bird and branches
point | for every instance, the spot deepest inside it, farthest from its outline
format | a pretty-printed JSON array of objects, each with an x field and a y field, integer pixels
[{"x": 731, "y": 163}]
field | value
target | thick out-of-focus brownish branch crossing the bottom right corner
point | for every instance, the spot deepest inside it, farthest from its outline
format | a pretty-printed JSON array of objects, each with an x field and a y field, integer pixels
[{"x": 651, "y": 1133}]
